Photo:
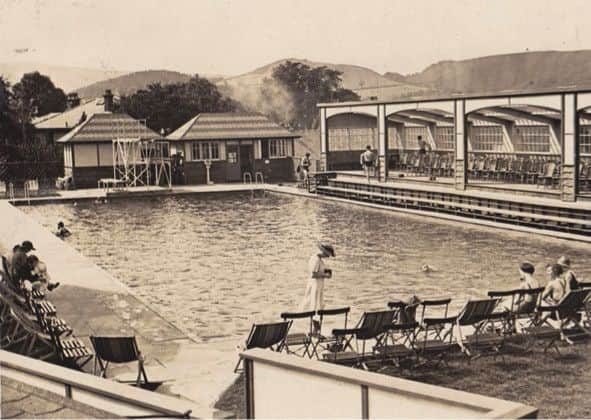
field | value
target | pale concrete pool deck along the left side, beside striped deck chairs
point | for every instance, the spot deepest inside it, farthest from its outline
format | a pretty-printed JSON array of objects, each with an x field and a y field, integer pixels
[{"x": 94, "y": 302}]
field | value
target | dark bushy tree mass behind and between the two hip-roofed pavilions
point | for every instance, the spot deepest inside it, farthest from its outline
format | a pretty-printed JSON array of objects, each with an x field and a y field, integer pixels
[{"x": 170, "y": 106}]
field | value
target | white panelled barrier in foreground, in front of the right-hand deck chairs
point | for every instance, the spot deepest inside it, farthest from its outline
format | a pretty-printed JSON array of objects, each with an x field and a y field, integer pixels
[{"x": 284, "y": 386}]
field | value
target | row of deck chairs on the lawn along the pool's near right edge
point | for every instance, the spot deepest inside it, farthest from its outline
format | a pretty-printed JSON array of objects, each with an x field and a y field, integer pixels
[{"x": 397, "y": 336}]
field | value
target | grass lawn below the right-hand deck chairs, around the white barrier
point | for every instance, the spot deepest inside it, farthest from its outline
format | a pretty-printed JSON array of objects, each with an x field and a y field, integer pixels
[{"x": 557, "y": 384}]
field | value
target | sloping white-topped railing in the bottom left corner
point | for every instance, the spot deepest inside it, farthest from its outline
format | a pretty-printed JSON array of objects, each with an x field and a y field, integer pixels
[{"x": 103, "y": 394}]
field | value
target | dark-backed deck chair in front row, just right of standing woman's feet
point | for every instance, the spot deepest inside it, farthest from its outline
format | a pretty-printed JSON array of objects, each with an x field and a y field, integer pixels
[{"x": 371, "y": 326}]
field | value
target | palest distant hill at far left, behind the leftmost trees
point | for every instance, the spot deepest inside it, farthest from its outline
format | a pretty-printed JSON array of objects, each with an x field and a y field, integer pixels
[{"x": 66, "y": 78}]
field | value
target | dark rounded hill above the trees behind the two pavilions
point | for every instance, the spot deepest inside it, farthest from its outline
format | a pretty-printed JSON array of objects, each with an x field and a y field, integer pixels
[{"x": 131, "y": 82}]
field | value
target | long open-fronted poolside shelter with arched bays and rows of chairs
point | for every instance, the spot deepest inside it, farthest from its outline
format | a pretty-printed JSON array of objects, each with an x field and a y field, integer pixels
[{"x": 534, "y": 142}]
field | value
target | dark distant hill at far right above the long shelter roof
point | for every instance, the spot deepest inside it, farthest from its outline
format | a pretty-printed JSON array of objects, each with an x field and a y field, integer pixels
[{"x": 497, "y": 73}]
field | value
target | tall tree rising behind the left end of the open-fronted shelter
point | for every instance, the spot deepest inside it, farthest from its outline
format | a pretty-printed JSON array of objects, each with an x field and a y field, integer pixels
[{"x": 307, "y": 87}]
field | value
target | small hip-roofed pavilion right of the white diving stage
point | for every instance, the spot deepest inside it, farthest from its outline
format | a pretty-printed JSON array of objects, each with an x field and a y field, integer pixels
[{"x": 234, "y": 144}]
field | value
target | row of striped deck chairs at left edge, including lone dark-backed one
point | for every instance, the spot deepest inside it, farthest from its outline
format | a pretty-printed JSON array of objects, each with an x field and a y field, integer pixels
[{"x": 40, "y": 317}]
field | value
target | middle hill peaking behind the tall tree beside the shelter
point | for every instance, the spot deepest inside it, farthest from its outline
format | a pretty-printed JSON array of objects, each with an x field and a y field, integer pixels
[{"x": 364, "y": 81}]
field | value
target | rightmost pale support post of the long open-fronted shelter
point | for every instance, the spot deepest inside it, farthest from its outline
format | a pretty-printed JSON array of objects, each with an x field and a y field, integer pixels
[{"x": 570, "y": 149}]
